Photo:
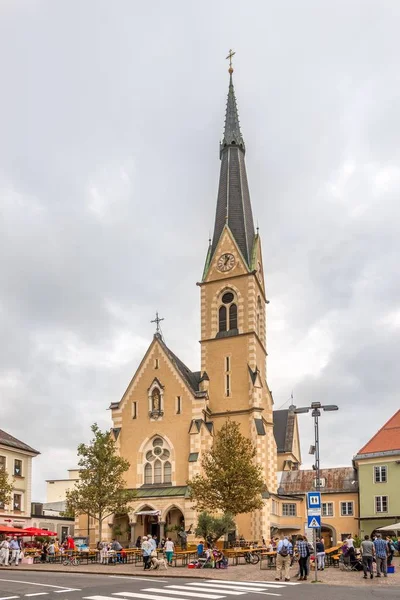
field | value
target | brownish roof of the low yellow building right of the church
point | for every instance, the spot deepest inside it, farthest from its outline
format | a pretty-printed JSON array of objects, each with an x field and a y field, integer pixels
[{"x": 338, "y": 479}]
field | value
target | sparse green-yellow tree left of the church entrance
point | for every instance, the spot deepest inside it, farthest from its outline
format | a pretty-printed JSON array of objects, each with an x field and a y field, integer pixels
[{"x": 100, "y": 491}]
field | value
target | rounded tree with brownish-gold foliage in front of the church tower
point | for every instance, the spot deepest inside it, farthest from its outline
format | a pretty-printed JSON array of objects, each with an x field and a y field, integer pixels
[{"x": 231, "y": 481}]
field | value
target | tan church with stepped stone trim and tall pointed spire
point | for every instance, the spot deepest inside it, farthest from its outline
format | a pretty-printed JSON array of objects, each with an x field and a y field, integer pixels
[{"x": 168, "y": 416}]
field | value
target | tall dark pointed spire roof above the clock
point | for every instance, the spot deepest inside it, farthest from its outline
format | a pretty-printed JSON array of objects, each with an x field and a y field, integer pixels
[{"x": 233, "y": 202}]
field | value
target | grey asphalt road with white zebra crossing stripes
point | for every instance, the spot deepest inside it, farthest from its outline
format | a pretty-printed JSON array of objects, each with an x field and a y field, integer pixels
[{"x": 17, "y": 585}]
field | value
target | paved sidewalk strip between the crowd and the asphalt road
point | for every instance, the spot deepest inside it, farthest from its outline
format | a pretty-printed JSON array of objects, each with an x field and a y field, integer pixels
[{"x": 330, "y": 576}]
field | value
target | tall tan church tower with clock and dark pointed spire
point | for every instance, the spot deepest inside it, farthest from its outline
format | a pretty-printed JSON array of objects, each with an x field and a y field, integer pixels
[{"x": 233, "y": 315}]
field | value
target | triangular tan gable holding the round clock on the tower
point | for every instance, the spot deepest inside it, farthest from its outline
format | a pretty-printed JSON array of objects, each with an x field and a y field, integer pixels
[{"x": 226, "y": 261}]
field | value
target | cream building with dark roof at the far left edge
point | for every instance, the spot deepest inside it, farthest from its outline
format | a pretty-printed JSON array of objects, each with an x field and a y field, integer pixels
[{"x": 16, "y": 459}]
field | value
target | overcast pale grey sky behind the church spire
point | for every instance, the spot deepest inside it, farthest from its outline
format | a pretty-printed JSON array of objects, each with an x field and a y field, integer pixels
[{"x": 110, "y": 116}]
